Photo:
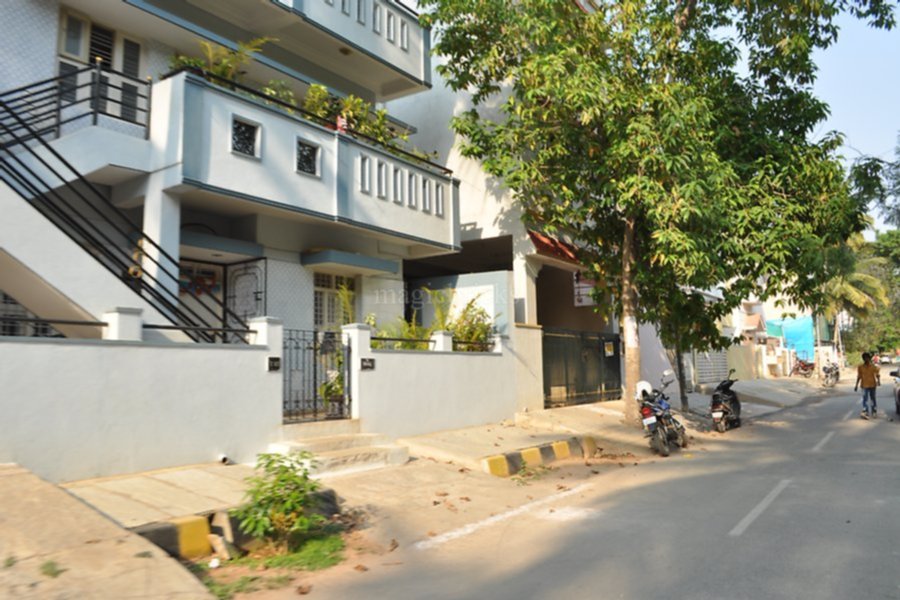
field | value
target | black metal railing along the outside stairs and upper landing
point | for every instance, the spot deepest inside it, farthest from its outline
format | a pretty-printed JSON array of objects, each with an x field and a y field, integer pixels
[{"x": 31, "y": 167}]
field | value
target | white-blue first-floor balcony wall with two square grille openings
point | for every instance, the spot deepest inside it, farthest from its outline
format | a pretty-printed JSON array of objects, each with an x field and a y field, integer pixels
[{"x": 236, "y": 147}]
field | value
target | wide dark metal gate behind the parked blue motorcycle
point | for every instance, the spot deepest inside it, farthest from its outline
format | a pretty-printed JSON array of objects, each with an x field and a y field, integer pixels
[{"x": 580, "y": 367}]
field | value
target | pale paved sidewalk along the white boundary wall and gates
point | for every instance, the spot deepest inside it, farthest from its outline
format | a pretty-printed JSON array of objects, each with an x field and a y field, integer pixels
[{"x": 452, "y": 459}]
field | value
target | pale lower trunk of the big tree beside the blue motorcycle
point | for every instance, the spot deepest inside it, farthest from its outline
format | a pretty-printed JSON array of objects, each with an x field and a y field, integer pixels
[{"x": 629, "y": 325}]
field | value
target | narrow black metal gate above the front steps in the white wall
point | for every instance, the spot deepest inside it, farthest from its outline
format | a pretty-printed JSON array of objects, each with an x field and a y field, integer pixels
[{"x": 316, "y": 376}]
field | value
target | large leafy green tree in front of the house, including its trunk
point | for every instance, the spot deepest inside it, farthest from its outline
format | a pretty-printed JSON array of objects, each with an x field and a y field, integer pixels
[{"x": 631, "y": 129}]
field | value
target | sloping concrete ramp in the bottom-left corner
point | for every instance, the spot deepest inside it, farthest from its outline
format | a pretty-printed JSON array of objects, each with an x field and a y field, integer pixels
[{"x": 53, "y": 546}]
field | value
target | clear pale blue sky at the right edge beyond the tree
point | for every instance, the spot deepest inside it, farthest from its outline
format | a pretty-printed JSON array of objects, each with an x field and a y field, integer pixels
[{"x": 859, "y": 78}]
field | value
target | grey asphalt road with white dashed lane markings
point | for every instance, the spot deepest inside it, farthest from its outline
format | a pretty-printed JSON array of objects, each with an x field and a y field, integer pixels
[{"x": 803, "y": 503}]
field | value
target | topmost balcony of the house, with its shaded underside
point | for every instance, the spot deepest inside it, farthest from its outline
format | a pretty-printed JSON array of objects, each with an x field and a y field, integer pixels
[{"x": 375, "y": 49}]
